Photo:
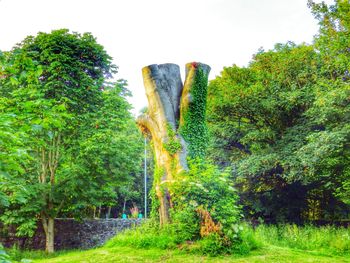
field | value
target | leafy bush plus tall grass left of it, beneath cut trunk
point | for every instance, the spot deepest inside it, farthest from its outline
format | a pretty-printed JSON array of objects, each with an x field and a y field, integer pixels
[{"x": 204, "y": 217}]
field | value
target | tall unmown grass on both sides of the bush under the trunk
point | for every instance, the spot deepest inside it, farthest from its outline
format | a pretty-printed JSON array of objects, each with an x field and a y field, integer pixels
[{"x": 328, "y": 239}]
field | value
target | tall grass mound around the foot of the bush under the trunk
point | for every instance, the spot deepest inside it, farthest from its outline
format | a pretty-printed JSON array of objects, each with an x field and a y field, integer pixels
[{"x": 175, "y": 236}]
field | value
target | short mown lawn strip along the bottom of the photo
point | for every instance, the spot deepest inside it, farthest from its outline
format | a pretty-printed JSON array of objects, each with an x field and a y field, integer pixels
[{"x": 128, "y": 254}]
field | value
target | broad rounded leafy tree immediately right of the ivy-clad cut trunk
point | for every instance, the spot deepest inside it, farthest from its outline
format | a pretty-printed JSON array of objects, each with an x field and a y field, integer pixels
[{"x": 256, "y": 113}]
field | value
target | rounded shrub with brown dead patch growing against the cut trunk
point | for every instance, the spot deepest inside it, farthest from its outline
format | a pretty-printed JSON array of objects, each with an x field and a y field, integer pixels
[{"x": 209, "y": 199}]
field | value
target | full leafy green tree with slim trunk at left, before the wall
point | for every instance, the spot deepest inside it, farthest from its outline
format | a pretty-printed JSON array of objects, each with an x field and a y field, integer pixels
[{"x": 78, "y": 129}]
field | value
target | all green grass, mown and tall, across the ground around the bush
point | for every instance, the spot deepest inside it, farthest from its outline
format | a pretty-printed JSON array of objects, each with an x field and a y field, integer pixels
[{"x": 286, "y": 243}]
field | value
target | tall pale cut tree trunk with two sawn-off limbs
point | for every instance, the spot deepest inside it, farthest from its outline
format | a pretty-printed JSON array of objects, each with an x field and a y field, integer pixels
[{"x": 169, "y": 111}]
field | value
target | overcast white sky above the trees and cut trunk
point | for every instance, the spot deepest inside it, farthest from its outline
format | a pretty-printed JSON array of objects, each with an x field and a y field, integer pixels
[{"x": 137, "y": 33}]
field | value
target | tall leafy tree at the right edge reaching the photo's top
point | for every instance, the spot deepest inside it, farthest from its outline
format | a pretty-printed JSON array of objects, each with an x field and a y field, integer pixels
[{"x": 328, "y": 149}]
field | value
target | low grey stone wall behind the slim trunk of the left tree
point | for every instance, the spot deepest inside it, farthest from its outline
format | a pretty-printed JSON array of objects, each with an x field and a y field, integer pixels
[{"x": 71, "y": 234}]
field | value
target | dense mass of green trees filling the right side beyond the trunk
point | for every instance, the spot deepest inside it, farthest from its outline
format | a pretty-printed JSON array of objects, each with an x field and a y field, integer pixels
[{"x": 283, "y": 123}]
